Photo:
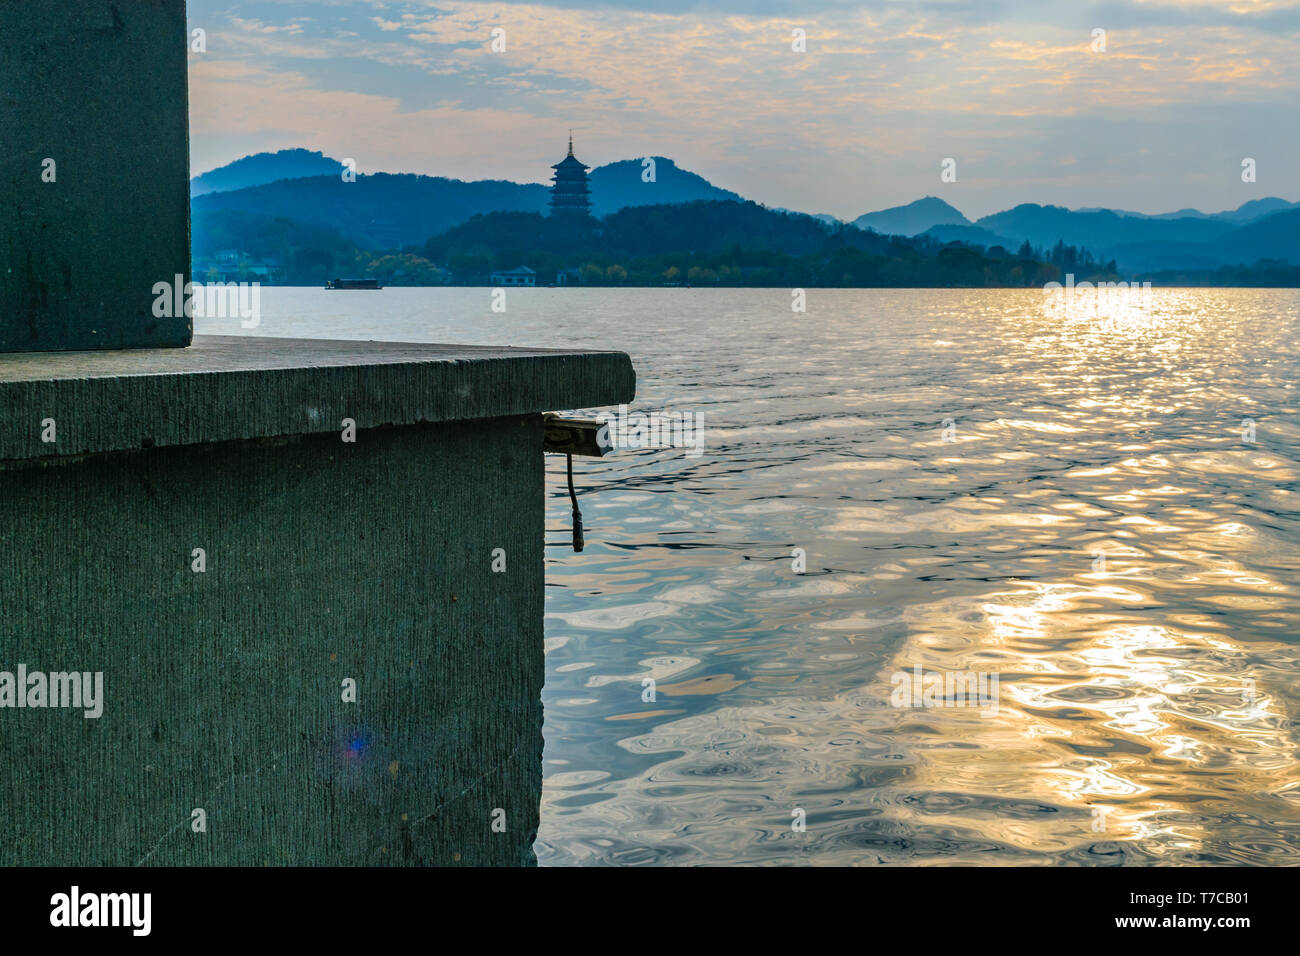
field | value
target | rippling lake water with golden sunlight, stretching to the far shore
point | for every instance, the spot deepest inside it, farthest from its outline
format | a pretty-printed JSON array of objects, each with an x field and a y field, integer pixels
[{"x": 982, "y": 483}]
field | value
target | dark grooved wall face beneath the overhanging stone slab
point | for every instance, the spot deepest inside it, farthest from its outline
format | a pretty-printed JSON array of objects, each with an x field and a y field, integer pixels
[{"x": 326, "y": 561}]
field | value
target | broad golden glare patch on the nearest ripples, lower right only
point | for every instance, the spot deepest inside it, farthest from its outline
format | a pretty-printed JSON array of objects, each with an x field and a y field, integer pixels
[{"x": 1129, "y": 724}]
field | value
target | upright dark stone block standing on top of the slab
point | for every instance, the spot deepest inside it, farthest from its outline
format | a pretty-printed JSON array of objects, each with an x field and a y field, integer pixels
[{"x": 101, "y": 90}]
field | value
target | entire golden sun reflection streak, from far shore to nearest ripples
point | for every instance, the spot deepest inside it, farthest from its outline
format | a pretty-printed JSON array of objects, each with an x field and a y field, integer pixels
[{"x": 1152, "y": 720}]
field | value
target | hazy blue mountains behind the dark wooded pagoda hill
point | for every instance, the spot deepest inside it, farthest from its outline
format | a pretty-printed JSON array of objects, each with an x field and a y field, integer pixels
[{"x": 400, "y": 210}]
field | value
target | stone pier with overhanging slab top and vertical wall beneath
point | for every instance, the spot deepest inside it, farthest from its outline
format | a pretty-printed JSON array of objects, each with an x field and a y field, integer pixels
[{"x": 408, "y": 563}]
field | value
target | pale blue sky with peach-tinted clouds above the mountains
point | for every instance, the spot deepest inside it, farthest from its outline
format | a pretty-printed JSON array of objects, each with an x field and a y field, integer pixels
[{"x": 1020, "y": 94}]
